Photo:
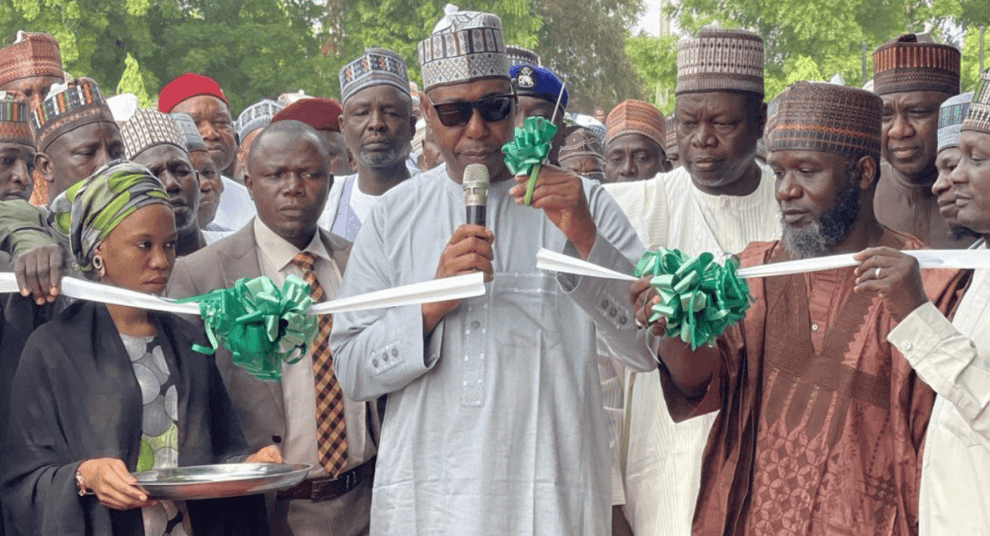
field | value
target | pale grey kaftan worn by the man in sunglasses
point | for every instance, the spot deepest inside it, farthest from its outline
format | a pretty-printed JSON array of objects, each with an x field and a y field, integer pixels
[{"x": 494, "y": 423}]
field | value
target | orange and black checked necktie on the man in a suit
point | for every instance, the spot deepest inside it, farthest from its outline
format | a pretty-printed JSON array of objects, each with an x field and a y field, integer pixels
[{"x": 331, "y": 439}]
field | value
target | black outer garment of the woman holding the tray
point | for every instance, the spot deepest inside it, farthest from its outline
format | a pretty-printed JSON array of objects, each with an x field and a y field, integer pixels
[{"x": 75, "y": 397}]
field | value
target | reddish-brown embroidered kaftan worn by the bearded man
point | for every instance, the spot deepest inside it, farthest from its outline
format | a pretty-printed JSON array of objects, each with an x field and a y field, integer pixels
[{"x": 822, "y": 421}]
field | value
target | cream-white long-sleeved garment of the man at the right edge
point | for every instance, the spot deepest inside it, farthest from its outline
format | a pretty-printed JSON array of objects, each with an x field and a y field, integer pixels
[{"x": 954, "y": 359}]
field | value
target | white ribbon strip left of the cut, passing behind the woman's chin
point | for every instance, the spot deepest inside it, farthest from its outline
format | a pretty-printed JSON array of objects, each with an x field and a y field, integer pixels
[{"x": 451, "y": 288}]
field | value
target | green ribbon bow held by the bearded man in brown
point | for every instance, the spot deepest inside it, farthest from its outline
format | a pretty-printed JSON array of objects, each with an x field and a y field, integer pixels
[{"x": 698, "y": 297}]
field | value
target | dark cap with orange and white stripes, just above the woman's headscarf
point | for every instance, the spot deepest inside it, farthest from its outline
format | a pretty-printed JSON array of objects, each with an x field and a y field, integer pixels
[{"x": 69, "y": 106}]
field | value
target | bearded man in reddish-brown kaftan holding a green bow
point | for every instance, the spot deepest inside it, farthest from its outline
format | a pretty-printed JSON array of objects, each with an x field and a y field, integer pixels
[{"x": 821, "y": 420}]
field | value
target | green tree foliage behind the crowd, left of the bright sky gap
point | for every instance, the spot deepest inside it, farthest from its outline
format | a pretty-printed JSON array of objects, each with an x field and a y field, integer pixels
[{"x": 260, "y": 48}]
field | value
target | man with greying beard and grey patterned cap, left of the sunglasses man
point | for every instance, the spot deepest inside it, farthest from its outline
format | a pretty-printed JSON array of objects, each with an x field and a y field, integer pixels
[{"x": 378, "y": 125}]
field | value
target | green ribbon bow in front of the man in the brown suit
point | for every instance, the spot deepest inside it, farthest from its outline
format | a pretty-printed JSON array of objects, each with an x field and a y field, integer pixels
[{"x": 260, "y": 325}]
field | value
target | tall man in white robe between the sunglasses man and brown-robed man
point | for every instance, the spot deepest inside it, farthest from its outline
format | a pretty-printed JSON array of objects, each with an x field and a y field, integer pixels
[{"x": 719, "y": 201}]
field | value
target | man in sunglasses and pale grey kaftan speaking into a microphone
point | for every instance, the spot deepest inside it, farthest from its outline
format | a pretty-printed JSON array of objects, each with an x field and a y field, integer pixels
[{"x": 494, "y": 423}]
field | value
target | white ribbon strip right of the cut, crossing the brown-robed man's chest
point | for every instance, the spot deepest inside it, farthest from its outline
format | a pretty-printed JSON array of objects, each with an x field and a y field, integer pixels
[{"x": 927, "y": 258}]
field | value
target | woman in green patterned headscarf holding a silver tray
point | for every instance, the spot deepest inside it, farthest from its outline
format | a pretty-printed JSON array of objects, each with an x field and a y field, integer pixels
[{"x": 105, "y": 390}]
